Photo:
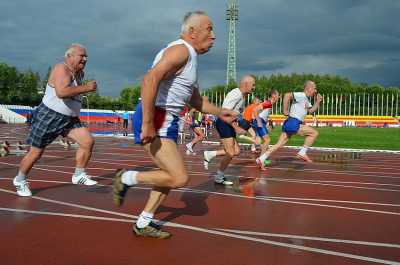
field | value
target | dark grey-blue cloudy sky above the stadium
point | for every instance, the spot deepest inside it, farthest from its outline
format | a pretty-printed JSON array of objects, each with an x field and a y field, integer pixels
[{"x": 358, "y": 39}]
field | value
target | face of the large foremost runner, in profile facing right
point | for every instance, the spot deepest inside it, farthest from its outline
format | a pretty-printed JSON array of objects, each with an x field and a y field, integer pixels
[{"x": 203, "y": 35}]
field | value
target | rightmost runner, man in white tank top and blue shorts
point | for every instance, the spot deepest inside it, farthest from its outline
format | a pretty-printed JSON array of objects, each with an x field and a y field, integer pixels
[{"x": 300, "y": 107}]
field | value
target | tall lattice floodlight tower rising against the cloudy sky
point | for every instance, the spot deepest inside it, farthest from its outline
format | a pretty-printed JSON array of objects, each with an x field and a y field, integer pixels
[{"x": 232, "y": 15}]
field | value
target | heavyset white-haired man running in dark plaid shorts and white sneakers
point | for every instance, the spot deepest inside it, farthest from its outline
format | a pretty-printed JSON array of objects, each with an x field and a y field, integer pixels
[{"x": 58, "y": 114}]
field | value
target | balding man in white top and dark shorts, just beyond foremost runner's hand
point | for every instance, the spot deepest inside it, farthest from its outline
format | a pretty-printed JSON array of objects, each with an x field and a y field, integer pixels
[{"x": 234, "y": 101}]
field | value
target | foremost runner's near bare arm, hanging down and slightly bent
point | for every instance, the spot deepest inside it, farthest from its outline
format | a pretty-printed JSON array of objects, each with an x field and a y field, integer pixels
[{"x": 173, "y": 59}]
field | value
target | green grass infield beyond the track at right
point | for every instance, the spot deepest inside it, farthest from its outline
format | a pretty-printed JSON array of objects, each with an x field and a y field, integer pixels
[{"x": 357, "y": 138}]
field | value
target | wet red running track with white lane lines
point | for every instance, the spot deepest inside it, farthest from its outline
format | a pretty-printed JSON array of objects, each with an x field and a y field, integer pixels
[{"x": 342, "y": 209}]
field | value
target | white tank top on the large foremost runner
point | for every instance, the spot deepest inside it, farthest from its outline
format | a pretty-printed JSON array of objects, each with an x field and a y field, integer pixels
[{"x": 175, "y": 92}]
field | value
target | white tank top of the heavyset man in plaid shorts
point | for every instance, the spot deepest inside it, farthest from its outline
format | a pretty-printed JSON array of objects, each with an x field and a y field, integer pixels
[{"x": 67, "y": 106}]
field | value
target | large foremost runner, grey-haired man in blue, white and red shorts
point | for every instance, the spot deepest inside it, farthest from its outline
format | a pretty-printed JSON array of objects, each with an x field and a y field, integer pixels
[{"x": 166, "y": 88}]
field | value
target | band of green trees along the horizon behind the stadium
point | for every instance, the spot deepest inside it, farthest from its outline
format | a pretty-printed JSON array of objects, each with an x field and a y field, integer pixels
[{"x": 27, "y": 88}]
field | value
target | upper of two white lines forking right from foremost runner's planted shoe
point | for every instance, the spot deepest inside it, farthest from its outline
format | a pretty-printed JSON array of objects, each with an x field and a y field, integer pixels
[{"x": 324, "y": 239}]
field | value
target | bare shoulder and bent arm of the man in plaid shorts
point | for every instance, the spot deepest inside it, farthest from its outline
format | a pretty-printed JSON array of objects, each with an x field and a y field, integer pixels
[{"x": 61, "y": 79}]
